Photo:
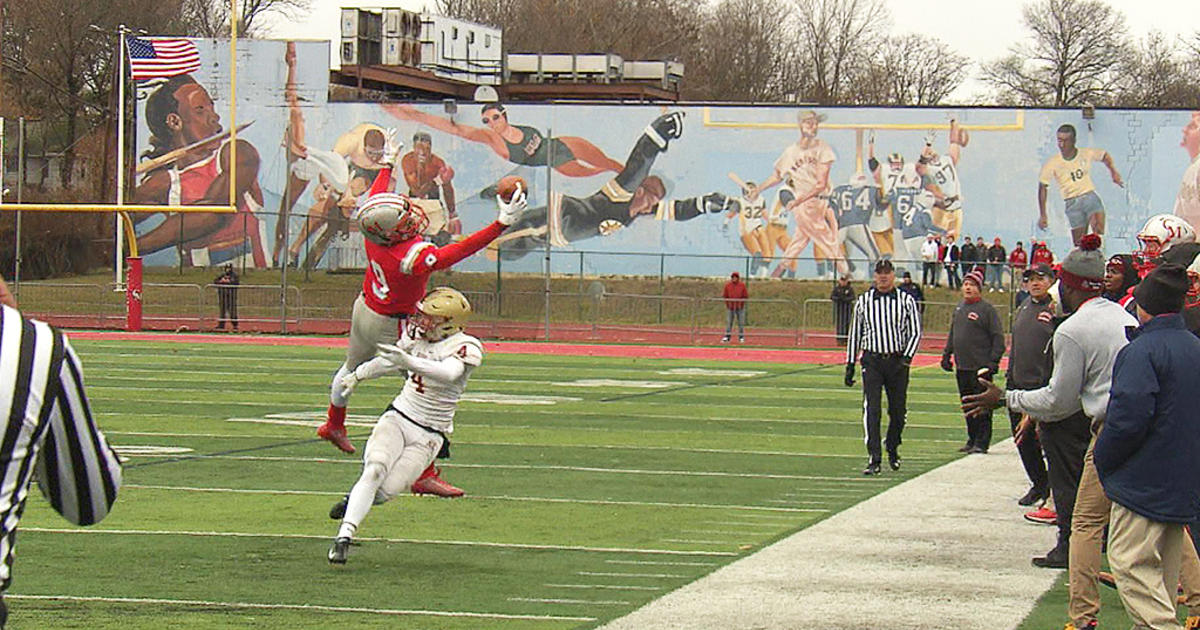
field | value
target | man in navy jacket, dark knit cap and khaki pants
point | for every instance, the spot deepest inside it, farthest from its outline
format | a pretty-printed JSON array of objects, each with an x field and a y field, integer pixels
[{"x": 1147, "y": 455}]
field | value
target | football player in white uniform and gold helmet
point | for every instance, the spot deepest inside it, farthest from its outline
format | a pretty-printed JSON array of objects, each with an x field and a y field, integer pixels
[{"x": 416, "y": 429}]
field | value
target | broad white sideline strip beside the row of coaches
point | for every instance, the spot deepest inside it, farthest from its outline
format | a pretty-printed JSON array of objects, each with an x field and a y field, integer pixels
[{"x": 946, "y": 549}]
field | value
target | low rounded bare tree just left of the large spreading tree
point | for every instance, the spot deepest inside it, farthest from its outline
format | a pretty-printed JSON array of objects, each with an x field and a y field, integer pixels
[{"x": 908, "y": 70}]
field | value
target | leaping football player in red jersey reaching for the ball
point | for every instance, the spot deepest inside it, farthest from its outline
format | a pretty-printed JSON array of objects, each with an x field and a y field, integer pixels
[{"x": 399, "y": 266}]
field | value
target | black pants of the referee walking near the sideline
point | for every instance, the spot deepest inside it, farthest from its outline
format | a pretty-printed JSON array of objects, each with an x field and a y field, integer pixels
[{"x": 884, "y": 373}]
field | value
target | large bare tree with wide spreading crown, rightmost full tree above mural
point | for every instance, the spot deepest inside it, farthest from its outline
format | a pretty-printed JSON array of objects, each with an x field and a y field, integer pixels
[{"x": 1071, "y": 58}]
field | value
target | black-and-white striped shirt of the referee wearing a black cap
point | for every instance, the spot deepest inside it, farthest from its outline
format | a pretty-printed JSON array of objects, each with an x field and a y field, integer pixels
[{"x": 885, "y": 323}]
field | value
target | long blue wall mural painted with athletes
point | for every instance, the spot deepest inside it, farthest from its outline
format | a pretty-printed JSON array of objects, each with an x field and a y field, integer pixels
[{"x": 694, "y": 183}]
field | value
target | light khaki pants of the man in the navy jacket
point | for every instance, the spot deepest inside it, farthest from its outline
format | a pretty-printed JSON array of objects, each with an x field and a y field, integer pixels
[{"x": 1145, "y": 560}]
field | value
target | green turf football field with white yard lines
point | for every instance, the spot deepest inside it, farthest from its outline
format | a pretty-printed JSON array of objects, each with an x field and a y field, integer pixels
[{"x": 595, "y": 487}]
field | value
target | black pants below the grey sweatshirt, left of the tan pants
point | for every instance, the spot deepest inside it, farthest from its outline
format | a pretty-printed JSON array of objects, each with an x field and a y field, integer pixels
[{"x": 1065, "y": 445}]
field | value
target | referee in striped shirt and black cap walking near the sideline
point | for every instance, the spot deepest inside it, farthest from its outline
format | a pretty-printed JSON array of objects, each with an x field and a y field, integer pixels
[{"x": 886, "y": 328}]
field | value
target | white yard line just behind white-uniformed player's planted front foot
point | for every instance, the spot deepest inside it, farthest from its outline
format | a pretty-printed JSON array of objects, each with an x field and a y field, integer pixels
[{"x": 374, "y": 539}]
